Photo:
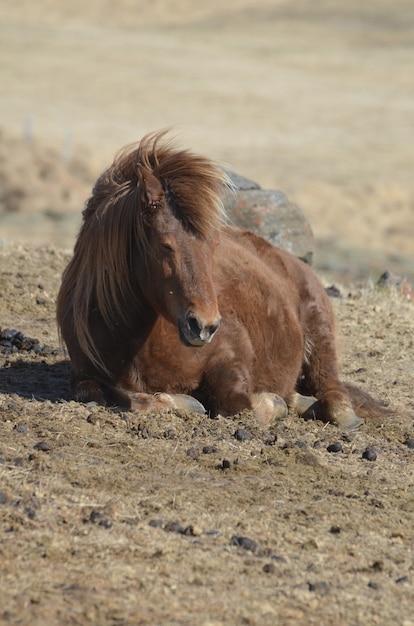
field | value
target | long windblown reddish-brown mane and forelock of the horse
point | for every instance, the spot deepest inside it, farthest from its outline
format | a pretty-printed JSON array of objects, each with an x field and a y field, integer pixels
[{"x": 99, "y": 274}]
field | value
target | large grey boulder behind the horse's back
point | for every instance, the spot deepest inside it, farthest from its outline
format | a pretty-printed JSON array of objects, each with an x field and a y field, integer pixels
[{"x": 270, "y": 214}]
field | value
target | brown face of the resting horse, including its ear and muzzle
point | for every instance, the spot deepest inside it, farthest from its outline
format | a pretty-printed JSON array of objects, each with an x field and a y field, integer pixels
[{"x": 178, "y": 278}]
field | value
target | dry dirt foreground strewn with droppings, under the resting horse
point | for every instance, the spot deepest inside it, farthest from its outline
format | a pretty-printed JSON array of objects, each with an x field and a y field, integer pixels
[{"x": 119, "y": 518}]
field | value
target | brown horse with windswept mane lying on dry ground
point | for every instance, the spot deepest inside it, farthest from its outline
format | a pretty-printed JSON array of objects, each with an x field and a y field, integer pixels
[{"x": 164, "y": 306}]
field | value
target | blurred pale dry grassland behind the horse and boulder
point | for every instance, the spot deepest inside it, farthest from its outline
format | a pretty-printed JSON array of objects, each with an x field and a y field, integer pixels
[{"x": 312, "y": 97}]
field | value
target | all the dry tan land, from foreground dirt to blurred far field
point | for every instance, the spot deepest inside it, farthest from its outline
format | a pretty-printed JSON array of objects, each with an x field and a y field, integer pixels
[{"x": 170, "y": 519}]
